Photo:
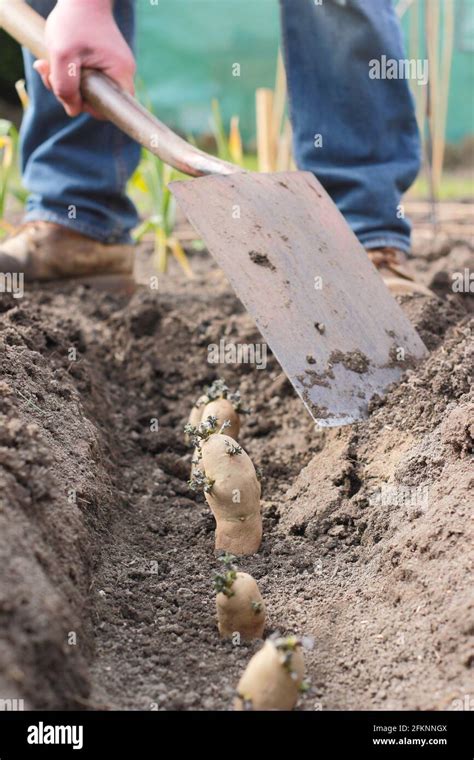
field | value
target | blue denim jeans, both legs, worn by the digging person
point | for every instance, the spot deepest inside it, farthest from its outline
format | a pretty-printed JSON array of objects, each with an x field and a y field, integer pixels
[{"x": 370, "y": 152}]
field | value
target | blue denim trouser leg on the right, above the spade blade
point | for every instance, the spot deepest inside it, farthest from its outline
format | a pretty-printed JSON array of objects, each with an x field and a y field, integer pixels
[{"x": 370, "y": 150}]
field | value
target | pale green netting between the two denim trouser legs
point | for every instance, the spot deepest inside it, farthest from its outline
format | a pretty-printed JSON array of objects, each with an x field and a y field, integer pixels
[{"x": 186, "y": 52}]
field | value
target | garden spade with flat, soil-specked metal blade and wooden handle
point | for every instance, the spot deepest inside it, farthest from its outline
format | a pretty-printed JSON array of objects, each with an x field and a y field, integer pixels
[{"x": 320, "y": 304}]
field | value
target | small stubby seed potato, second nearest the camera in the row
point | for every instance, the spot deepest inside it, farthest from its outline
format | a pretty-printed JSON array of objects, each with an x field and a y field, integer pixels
[{"x": 240, "y": 608}]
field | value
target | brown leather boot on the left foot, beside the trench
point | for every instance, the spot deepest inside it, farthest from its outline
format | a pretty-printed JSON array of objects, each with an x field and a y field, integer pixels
[{"x": 44, "y": 252}]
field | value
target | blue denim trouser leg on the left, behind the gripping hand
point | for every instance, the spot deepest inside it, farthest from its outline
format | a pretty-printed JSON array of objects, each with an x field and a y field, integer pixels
[{"x": 76, "y": 169}]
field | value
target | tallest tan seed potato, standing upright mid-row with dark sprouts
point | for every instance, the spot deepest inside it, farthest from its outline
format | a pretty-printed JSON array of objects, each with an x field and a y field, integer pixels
[{"x": 235, "y": 495}]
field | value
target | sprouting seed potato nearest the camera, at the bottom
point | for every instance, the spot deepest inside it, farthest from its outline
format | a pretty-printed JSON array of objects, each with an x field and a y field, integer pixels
[{"x": 273, "y": 678}]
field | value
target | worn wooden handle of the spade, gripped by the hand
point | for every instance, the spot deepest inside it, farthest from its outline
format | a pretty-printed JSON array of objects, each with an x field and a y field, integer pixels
[{"x": 107, "y": 98}]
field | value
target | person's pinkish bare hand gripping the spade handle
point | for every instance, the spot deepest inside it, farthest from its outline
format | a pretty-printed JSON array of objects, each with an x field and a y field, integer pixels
[{"x": 83, "y": 33}]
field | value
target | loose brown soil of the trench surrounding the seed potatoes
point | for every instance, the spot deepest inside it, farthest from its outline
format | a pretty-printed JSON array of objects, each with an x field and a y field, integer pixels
[{"x": 107, "y": 556}]
